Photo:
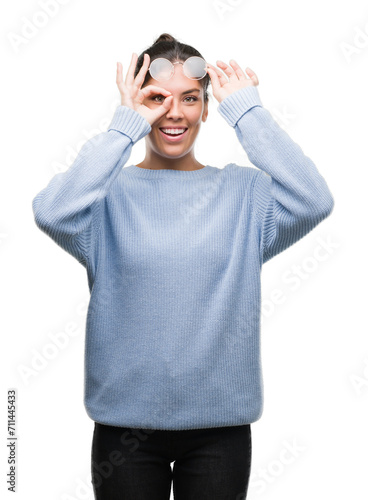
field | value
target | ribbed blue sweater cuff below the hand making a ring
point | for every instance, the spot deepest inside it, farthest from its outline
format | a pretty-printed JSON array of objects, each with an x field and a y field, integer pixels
[{"x": 129, "y": 122}]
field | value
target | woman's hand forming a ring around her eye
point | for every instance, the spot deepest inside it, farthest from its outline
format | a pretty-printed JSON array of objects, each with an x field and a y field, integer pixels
[{"x": 133, "y": 96}]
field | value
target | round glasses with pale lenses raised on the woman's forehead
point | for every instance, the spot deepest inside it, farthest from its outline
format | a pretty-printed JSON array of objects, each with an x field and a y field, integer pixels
[{"x": 161, "y": 69}]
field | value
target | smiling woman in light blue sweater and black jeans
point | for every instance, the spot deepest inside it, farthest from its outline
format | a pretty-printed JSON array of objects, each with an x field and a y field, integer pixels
[{"x": 173, "y": 251}]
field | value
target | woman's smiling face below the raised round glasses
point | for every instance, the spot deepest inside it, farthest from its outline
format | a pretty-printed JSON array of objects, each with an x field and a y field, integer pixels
[{"x": 188, "y": 110}]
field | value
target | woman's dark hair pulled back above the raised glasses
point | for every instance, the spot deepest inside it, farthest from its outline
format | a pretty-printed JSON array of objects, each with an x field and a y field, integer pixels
[{"x": 169, "y": 47}]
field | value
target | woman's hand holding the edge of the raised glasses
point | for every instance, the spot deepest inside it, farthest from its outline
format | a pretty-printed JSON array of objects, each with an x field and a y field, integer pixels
[{"x": 222, "y": 87}]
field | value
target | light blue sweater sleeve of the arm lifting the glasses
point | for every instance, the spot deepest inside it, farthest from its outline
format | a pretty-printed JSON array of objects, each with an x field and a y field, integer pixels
[{"x": 290, "y": 196}]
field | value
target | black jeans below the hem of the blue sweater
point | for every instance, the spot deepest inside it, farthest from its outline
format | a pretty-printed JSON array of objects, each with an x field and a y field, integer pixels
[{"x": 134, "y": 464}]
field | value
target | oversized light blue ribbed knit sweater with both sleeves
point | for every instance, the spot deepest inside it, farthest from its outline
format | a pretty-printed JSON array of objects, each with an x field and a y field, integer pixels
[{"x": 174, "y": 260}]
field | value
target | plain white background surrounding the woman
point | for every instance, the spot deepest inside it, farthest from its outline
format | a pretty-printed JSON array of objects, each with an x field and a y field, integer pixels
[{"x": 59, "y": 86}]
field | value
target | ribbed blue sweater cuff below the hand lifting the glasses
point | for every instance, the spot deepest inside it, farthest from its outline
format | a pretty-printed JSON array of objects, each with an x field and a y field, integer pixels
[{"x": 233, "y": 107}]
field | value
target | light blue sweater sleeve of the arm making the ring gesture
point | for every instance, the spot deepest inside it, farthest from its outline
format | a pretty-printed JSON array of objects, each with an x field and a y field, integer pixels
[{"x": 68, "y": 208}]
